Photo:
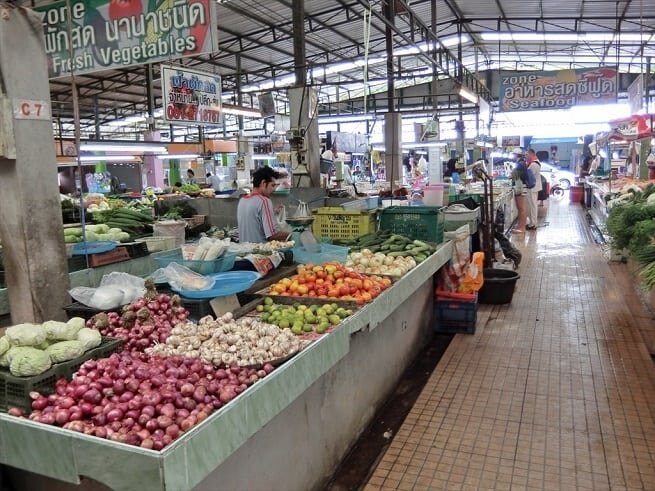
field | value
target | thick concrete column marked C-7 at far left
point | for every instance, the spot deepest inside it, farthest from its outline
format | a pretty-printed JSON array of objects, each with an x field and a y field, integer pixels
[{"x": 31, "y": 226}]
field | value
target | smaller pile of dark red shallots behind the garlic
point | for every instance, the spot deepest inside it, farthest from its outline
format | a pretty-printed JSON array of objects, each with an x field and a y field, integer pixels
[{"x": 144, "y": 322}]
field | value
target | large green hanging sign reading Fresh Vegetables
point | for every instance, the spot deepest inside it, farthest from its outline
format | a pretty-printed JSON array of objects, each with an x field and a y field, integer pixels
[{"x": 94, "y": 35}]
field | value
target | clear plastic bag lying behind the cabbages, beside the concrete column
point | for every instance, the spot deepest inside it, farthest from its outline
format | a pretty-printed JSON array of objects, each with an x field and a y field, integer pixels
[{"x": 115, "y": 289}]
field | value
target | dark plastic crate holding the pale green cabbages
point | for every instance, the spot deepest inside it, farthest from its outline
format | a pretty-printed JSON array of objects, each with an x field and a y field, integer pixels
[{"x": 15, "y": 391}]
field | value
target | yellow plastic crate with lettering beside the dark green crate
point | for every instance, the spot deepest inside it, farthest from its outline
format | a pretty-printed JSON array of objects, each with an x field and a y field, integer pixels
[{"x": 337, "y": 223}]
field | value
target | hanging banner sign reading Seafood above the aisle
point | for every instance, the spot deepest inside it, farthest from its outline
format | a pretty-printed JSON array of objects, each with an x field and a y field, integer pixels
[{"x": 557, "y": 90}]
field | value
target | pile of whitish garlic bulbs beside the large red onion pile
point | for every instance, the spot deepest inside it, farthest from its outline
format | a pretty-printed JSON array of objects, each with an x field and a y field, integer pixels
[{"x": 226, "y": 341}]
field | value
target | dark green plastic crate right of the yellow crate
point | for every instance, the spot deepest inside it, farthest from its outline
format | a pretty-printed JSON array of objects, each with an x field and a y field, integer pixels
[{"x": 416, "y": 222}]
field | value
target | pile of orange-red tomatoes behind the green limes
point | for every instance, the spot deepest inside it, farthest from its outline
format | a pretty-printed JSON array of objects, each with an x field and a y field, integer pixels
[{"x": 331, "y": 280}]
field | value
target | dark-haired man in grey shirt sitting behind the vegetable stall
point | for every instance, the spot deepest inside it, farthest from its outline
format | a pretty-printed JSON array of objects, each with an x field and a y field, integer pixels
[{"x": 255, "y": 214}]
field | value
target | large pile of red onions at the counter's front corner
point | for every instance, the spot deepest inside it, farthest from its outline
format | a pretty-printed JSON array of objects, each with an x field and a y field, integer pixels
[{"x": 140, "y": 400}]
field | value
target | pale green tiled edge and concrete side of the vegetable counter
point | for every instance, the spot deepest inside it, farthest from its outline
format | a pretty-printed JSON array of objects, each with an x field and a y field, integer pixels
[{"x": 295, "y": 425}]
